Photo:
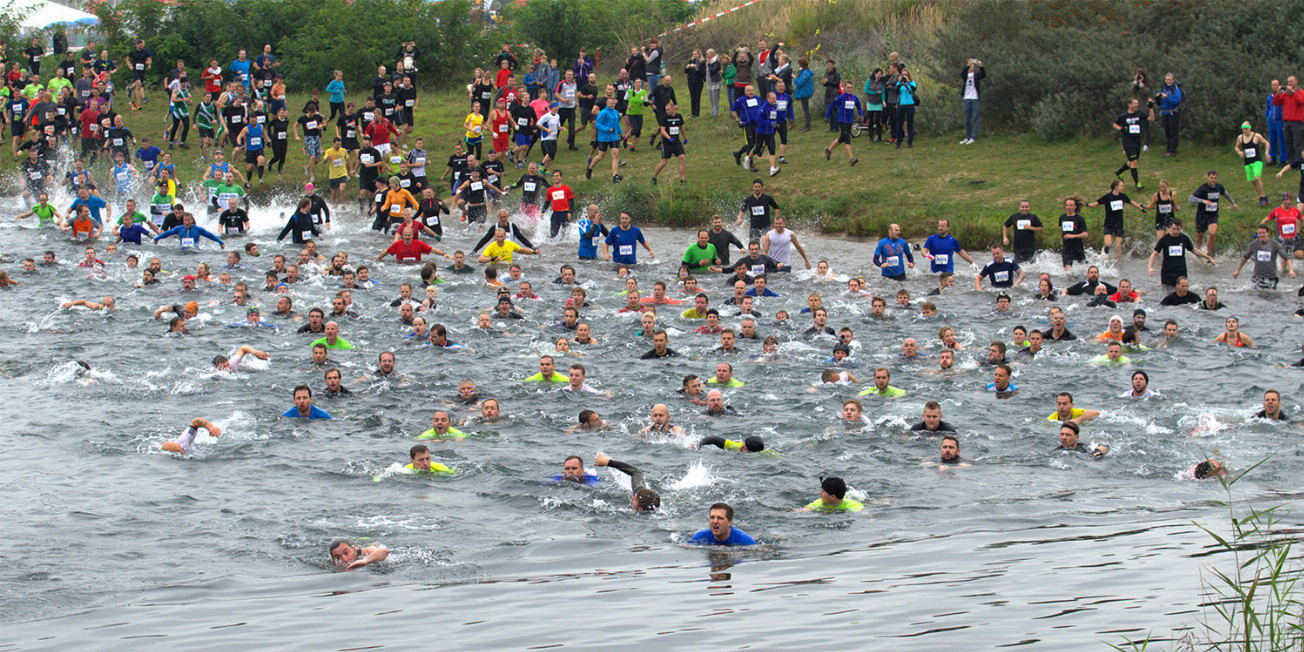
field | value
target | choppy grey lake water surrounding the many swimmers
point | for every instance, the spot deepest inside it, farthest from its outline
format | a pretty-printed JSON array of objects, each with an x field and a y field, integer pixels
[{"x": 114, "y": 544}]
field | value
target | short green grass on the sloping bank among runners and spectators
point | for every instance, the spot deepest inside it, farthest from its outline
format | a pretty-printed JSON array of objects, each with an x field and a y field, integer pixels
[{"x": 976, "y": 186}]
